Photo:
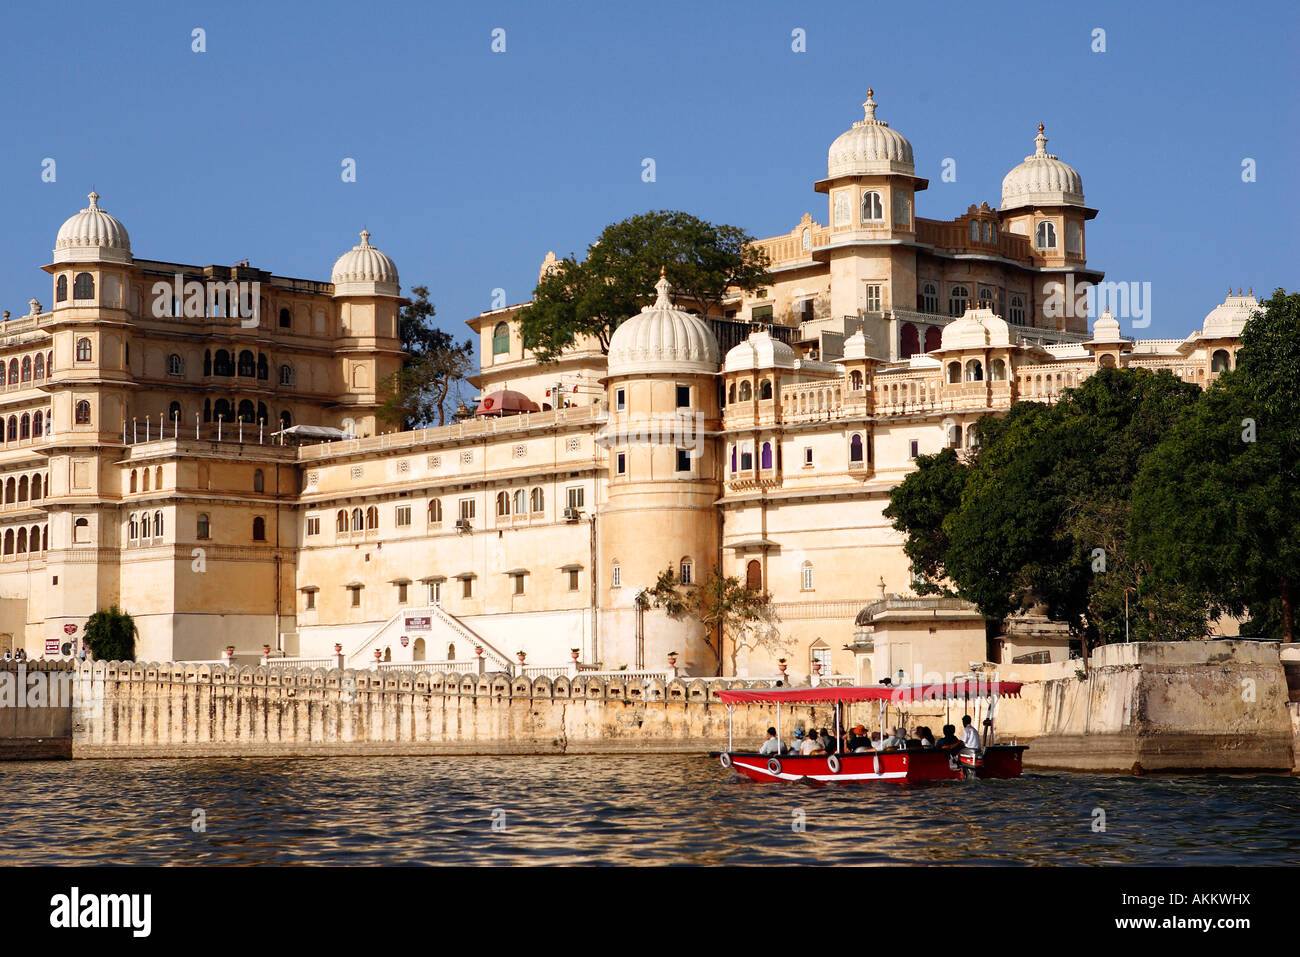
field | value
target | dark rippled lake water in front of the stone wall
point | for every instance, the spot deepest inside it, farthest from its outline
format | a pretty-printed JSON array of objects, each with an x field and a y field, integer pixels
[{"x": 619, "y": 809}]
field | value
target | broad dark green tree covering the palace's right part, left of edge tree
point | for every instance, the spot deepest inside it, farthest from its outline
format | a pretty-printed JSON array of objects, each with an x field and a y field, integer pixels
[{"x": 1042, "y": 510}]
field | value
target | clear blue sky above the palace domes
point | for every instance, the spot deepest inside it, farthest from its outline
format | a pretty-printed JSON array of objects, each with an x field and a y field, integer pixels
[{"x": 473, "y": 164}]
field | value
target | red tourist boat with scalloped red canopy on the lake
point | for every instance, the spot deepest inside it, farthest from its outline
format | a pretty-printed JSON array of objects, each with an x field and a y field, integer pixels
[{"x": 903, "y": 765}]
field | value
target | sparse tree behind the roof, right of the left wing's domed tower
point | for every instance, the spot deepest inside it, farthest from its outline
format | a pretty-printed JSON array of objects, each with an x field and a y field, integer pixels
[{"x": 423, "y": 391}]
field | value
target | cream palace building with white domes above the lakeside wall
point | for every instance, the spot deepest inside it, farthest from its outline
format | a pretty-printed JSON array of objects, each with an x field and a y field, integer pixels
[{"x": 200, "y": 445}]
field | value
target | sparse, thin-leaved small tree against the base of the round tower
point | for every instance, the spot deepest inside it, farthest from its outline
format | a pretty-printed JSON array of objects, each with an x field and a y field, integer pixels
[{"x": 725, "y": 607}]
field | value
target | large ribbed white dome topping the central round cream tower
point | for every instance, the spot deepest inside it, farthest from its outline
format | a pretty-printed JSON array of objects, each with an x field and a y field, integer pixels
[{"x": 661, "y": 339}]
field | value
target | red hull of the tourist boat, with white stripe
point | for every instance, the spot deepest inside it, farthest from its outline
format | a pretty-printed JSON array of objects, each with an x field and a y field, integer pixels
[{"x": 899, "y": 767}]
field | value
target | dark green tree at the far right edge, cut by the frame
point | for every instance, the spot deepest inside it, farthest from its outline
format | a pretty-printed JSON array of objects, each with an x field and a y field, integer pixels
[{"x": 1217, "y": 504}]
